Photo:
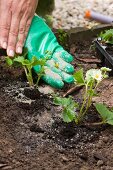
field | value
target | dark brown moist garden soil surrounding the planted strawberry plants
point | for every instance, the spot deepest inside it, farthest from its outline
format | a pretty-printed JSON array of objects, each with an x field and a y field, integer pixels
[{"x": 32, "y": 133}]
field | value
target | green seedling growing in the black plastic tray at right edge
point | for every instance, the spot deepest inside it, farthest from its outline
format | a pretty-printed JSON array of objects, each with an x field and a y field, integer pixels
[{"x": 107, "y": 36}]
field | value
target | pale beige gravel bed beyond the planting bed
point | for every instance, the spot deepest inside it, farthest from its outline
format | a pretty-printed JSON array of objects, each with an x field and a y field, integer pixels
[{"x": 70, "y": 13}]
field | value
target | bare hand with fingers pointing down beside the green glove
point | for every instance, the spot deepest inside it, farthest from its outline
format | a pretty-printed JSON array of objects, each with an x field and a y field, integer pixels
[{"x": 15, "y": 20}]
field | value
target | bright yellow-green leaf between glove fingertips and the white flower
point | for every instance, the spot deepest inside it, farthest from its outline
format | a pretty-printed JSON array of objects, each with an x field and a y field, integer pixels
[{"x": 78, "y": 76}]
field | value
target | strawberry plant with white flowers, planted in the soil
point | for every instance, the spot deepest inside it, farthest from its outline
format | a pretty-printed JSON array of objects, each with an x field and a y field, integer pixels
[{"x": 90, "y": 82}]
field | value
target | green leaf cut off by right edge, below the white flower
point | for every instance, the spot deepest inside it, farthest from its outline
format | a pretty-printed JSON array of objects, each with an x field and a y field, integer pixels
[{"x": 105, "y": 113}]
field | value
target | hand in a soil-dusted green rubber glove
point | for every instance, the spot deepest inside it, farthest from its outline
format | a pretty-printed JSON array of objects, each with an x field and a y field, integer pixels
[{"x": 40, "y": 39}]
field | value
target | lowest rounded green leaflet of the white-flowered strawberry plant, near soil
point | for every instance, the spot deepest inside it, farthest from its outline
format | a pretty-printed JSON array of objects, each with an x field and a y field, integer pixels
[{"x": 68, "y": 115}]
